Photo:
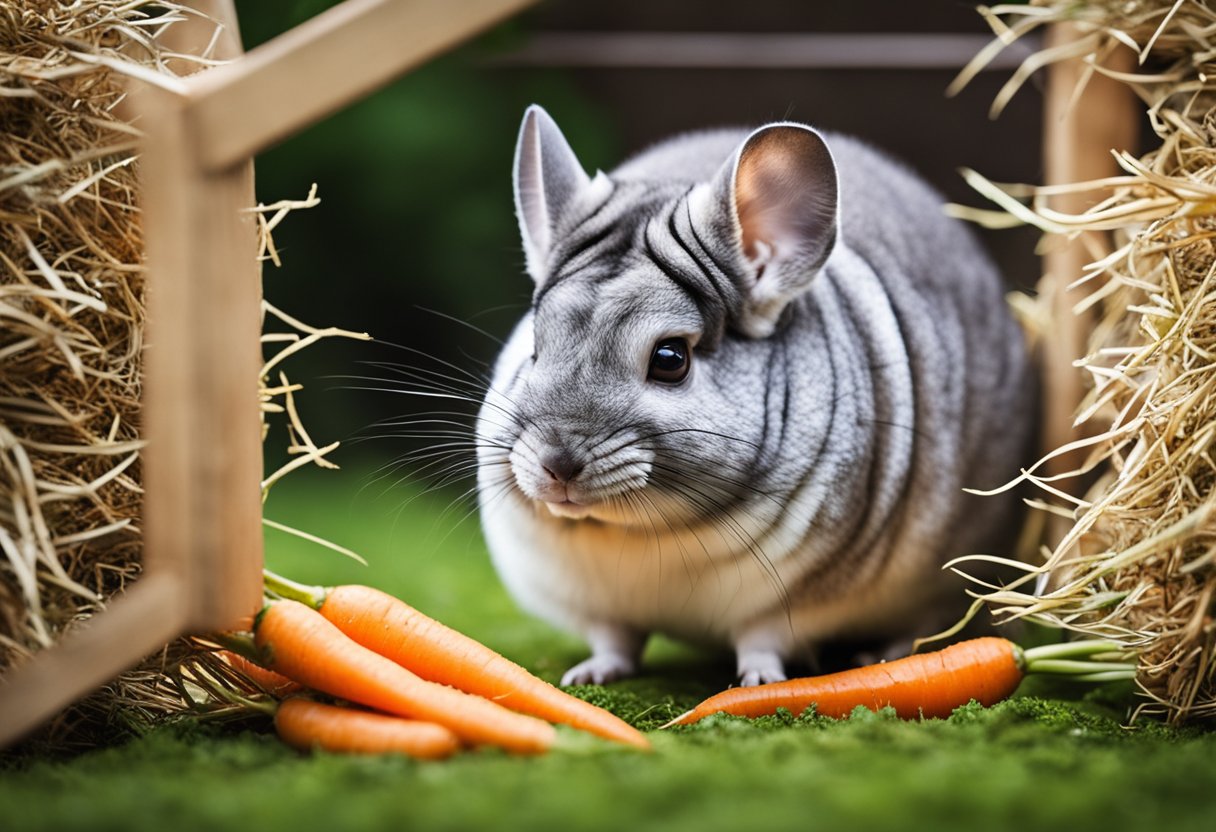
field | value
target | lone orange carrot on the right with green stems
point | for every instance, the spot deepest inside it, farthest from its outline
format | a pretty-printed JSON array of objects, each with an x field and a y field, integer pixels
[{"x": 987, "y": 670}]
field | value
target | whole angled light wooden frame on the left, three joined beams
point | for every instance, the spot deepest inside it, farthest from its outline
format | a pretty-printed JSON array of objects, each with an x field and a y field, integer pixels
[{"x": 202, "y": 468}]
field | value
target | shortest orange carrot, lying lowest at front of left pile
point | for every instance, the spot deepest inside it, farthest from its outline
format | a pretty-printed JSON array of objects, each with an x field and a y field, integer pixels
[{"x": 307, "y": 726}]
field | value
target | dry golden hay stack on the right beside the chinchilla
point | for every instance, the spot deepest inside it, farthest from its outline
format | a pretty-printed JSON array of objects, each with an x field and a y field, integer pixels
[{"x": 1139, "y": 565}]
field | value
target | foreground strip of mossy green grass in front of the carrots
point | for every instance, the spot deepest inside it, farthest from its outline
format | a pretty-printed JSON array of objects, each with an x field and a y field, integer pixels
[{"x": 1003, "y": 769}]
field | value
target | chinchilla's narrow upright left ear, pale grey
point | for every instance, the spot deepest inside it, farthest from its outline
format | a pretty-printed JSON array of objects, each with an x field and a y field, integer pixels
[{"x": 548, "y": 178}]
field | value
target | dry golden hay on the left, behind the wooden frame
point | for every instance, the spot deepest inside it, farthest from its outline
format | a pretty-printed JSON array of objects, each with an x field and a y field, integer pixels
[{"x": 72, "y": 288}]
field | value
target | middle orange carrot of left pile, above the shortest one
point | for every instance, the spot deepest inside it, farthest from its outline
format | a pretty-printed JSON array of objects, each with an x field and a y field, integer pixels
[{"x": 297, "y": 642}]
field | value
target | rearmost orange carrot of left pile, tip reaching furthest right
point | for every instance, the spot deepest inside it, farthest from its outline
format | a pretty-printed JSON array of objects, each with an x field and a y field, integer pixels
[{"x": 392, "y": 628}]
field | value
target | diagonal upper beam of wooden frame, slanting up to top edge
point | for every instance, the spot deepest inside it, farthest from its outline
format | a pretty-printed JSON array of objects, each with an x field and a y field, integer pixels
[{"x": 320, "y": 66}]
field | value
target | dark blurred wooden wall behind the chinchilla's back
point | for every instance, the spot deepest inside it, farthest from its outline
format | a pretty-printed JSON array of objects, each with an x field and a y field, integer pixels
[{"x": 879, "y": 89}]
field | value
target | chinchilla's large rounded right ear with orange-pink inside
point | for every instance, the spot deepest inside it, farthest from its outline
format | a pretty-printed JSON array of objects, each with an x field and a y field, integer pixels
[{"x": 779, "y": 195}]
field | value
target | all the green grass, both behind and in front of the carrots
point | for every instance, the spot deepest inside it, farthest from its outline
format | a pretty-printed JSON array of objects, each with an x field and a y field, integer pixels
[{"x": 1052, "y": 761}]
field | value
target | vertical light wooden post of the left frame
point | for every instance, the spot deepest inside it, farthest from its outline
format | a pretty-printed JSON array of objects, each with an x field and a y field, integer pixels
[{"x": 202, "y": 468}]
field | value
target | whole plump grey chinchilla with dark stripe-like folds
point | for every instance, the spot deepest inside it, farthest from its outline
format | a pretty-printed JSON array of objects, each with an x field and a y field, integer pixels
[{"x": 757, "y": 375}]
